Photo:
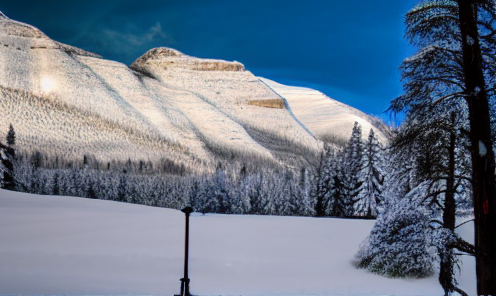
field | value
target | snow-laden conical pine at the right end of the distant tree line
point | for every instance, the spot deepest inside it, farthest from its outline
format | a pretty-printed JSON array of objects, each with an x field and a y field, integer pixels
[{"x": 372, "y": 178}]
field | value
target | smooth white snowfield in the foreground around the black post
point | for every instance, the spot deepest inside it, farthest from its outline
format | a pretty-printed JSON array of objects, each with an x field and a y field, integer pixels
[{"x": 68, "y": 245}]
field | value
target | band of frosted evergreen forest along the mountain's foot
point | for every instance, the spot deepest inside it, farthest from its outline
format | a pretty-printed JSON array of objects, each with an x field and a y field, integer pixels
[{"x": 346, "y": 183}]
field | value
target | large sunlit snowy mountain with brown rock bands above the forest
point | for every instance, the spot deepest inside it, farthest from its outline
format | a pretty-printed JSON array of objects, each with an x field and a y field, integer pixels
[{"x": 69, "y": 102}]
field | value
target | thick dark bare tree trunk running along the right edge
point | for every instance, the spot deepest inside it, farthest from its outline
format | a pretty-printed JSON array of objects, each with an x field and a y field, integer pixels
[{"x": 483, "y": 182}]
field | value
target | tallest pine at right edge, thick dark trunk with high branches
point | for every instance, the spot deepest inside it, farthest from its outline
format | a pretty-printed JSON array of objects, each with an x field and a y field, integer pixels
[{"x": 457, "y": 41}]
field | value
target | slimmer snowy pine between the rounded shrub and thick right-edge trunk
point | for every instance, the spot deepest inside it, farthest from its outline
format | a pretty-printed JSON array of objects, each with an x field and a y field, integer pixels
[{"x": 441, "y": 163}]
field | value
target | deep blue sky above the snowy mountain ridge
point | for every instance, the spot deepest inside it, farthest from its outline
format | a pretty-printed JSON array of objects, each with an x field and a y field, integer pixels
[{"x": 348, "y": 49}]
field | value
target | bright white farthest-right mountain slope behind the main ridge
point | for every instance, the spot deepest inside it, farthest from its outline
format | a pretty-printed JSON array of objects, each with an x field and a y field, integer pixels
[{"x": 325, "y": 117}]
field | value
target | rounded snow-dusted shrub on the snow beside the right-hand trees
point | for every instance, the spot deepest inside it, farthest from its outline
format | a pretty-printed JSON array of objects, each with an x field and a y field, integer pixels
[{"x": 399, "y": 243}]
